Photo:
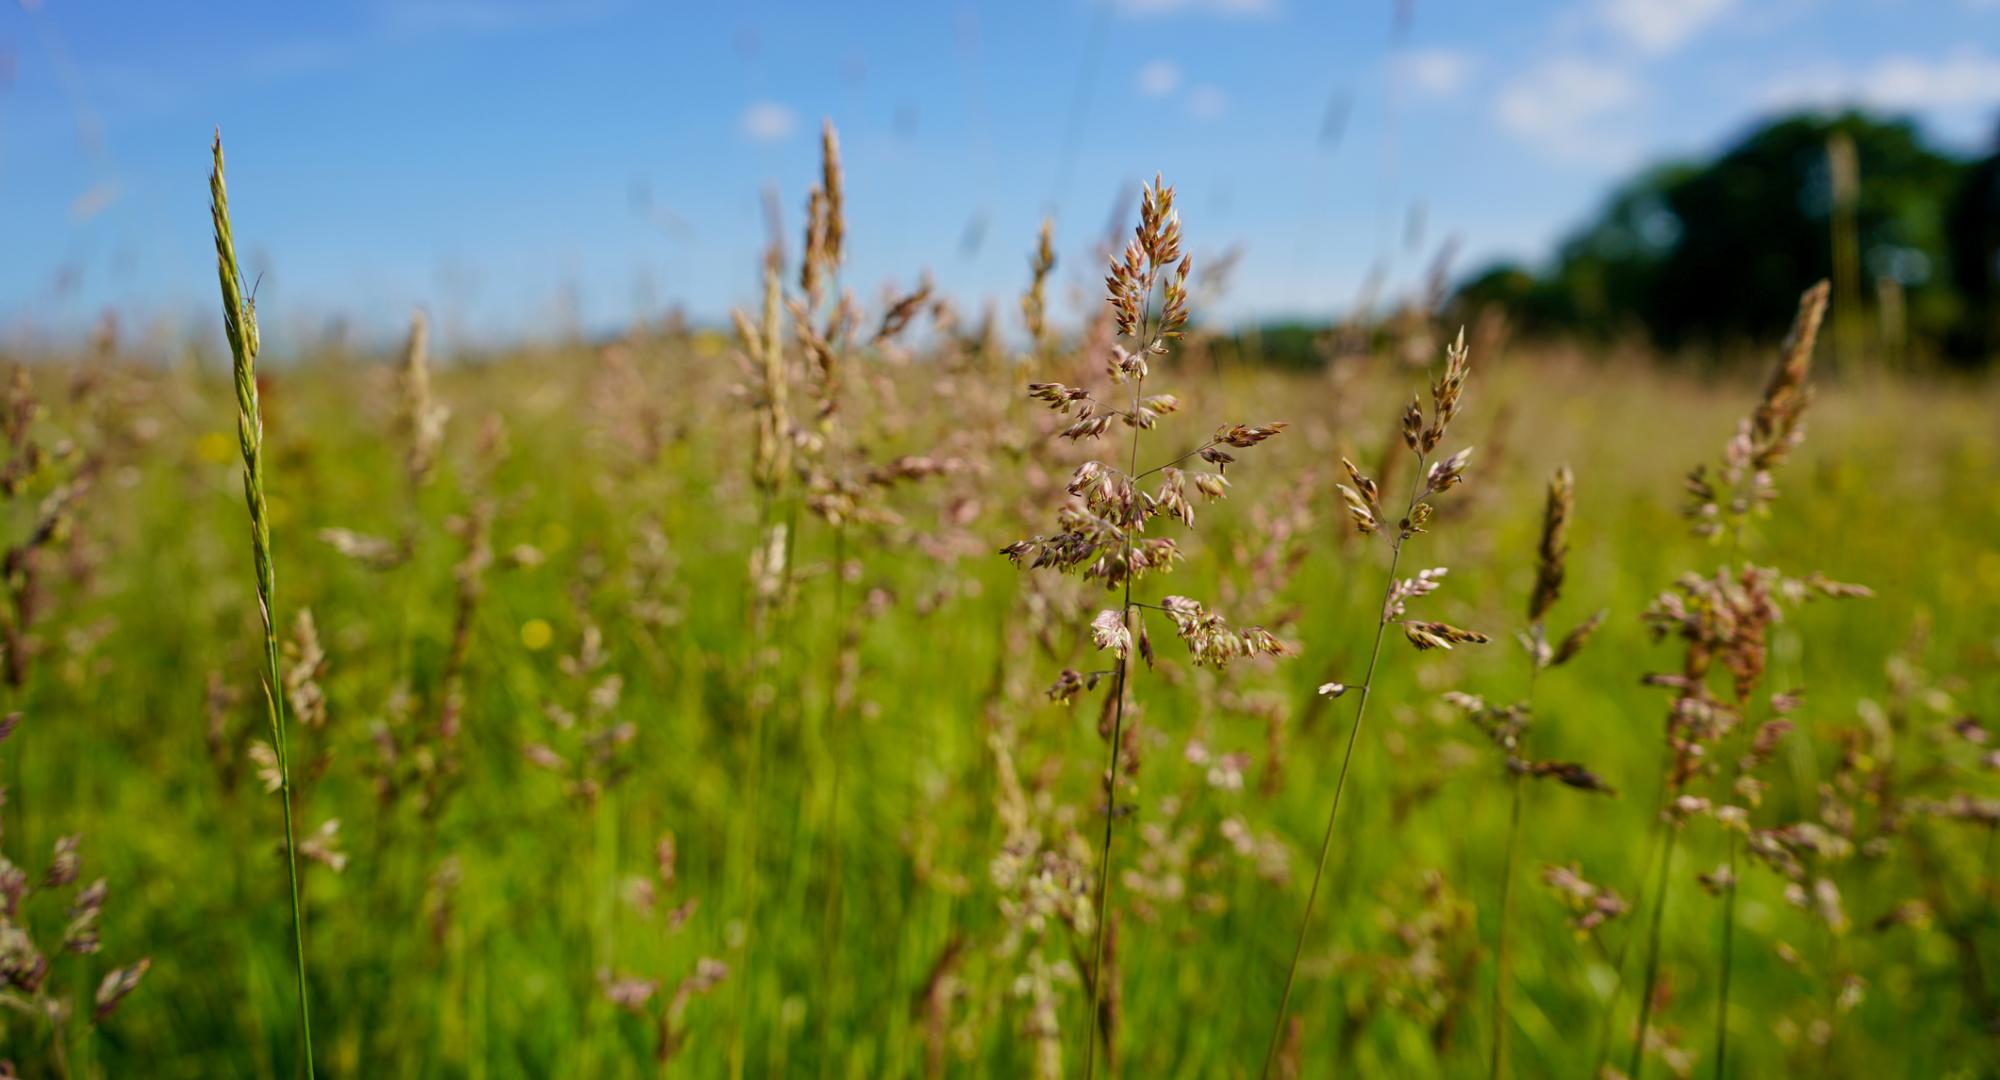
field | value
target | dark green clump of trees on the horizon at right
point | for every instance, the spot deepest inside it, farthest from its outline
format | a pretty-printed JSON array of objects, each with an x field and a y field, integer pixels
[{"x": 1701, "y": 255}]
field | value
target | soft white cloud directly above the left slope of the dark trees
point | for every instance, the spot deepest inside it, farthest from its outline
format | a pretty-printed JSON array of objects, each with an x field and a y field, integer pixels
[{"x": 1565, "y": 109}]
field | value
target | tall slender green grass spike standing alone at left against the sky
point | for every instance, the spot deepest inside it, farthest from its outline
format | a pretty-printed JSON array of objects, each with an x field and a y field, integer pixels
[{"x": 239, "y": 321}]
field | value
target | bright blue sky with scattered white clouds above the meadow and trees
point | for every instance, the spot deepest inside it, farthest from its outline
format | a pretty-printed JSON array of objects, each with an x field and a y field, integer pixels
[{"x": 513, "y": 165}]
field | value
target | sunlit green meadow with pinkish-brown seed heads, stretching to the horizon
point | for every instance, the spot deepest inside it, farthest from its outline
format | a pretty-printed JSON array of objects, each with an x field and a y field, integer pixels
[{"x": 623, "y": 749}]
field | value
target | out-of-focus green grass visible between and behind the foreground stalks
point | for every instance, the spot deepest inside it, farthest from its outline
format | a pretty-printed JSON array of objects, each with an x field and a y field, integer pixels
[{"x": 471, "y": 943}]
